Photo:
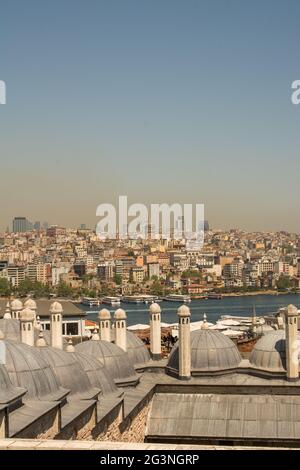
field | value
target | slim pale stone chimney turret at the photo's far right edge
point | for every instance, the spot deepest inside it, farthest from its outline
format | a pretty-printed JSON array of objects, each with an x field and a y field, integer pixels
[{"x": 291, "y": 343}]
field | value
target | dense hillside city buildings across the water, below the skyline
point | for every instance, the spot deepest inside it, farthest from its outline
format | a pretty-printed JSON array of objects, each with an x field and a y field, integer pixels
[{"x": 40, "y": 260}]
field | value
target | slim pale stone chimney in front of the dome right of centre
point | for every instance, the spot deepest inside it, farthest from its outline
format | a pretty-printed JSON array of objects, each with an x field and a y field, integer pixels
[{"x": 184, "y": 343}]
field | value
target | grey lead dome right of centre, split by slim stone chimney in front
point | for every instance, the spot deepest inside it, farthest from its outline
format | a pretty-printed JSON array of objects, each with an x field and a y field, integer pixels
[{"x": 211, "y": 351}]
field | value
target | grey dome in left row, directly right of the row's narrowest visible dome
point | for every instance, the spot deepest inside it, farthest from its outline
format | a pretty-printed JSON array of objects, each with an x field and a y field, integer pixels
[{"x": 114, "y": 359}]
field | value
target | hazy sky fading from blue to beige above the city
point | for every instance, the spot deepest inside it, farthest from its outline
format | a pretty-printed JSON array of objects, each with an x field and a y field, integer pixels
[{"x": 161, "y": 100}]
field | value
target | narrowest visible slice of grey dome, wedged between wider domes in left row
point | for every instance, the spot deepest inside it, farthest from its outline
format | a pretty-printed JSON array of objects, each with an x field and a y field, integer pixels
[{"x": 98, "y": 375}]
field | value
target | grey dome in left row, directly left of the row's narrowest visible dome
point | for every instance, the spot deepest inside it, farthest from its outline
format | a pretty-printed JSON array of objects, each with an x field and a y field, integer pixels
[{"x": 68, "y": 371}]
